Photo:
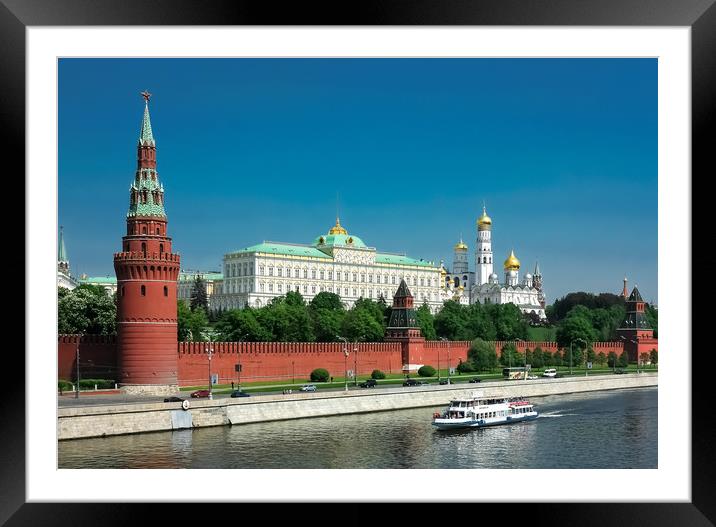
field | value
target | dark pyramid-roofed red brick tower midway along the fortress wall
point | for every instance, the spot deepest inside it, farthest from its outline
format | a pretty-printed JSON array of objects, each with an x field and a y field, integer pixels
[{"x": 403, "y": 327}]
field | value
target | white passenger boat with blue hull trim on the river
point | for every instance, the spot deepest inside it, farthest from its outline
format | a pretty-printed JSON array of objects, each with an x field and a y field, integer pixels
[{"x": 478, "y": 412}]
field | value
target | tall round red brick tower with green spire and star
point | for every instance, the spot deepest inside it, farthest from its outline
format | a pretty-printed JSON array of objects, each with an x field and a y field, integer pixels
[{"x": 147, "y": 273}]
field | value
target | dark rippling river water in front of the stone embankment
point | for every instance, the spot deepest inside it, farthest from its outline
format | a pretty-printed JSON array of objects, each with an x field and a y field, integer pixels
[{"x": 609, "y": 429}]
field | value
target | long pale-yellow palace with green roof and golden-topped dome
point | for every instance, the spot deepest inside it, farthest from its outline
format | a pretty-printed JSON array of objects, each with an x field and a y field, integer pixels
[{"x": 336, "y": 262}]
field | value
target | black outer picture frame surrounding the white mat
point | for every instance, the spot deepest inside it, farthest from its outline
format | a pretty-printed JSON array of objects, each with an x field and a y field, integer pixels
[{"x": 699, "y": 15}]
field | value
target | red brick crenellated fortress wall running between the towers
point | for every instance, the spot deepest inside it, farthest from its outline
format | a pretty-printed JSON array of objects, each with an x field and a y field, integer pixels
[{"x": 277, "y": 360}]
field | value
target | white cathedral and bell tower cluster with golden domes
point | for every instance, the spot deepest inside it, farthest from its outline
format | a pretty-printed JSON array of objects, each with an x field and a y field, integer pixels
[{"x": 484, "y": 284}]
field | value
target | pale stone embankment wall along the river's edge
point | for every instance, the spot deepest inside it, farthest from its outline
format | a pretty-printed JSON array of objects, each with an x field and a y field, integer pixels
[{"x": 97, "y": 421}]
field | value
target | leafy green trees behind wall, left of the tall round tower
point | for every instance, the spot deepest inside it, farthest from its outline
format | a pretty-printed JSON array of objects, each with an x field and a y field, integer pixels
[{"x": 86, "y": 309}]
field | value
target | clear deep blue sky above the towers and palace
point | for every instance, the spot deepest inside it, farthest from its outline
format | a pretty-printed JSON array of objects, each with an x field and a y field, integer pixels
[{"x": 563, "y": 151}]
